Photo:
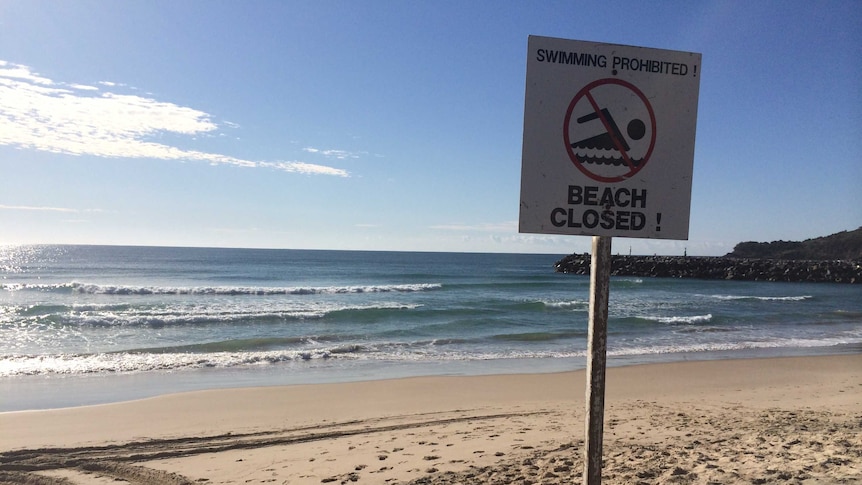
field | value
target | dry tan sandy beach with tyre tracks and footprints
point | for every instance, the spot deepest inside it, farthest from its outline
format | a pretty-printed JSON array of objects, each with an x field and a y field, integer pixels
[{"x": 779, "y": 420}]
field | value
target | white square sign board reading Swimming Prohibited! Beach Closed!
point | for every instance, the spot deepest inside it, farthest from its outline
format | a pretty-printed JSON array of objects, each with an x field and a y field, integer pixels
[{"x": 608, "y": 139}]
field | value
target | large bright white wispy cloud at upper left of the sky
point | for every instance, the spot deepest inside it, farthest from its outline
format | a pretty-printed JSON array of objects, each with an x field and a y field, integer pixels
[{"x": 75, "y": 119}]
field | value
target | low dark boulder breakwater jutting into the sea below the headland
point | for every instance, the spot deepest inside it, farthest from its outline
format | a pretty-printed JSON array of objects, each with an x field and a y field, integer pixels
[{"x": 722, "y": 268}]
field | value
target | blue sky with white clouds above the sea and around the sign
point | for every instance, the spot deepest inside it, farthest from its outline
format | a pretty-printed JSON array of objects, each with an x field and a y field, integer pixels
[{"x": 396, "y": 125}]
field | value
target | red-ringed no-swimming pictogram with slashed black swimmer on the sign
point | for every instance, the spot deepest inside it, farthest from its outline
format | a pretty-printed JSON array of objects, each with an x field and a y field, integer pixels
[{"x": 609, "y": 130}]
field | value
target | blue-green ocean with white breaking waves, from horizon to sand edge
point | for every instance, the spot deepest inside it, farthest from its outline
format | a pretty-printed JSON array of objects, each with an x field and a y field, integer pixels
[{"x": 93, "y": 324}]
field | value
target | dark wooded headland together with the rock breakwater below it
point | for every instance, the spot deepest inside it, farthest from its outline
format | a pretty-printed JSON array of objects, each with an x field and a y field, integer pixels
[{"x": 831, "y": 259}]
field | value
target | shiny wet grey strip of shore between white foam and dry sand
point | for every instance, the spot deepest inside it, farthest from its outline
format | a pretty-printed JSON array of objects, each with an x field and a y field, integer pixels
[{"x": 35, "y": 393}]
